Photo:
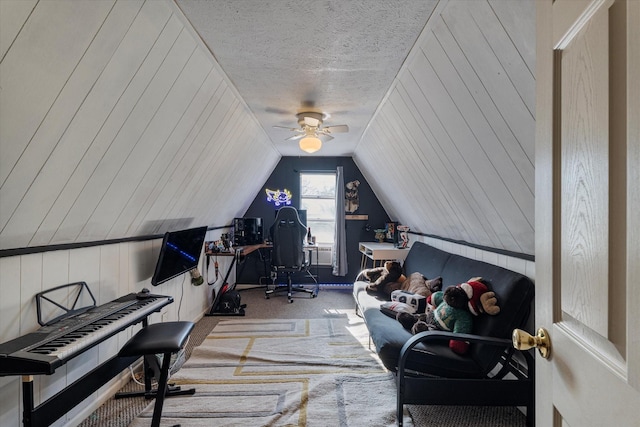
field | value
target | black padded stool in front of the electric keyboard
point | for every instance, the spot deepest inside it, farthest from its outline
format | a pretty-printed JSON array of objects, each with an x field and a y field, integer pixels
[{"x": 166, "y": 338}]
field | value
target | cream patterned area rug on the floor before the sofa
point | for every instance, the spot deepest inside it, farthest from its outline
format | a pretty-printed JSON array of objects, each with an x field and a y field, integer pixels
[{"x": 287, "y": 372}]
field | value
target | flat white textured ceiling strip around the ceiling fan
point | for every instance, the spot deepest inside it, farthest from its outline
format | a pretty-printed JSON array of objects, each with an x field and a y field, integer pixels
[{"x": 334, "y": 57}]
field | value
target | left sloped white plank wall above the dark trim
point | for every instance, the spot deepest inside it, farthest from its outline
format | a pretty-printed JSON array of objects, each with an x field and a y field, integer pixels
[{"x": 117, "y": 121}]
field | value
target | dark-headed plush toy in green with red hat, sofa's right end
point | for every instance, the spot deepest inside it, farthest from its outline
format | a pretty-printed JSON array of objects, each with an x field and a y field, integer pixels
[{"x": 453, "y": 311}]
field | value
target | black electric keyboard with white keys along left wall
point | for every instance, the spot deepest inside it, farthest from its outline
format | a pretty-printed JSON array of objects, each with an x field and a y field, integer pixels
[{"x": 43, "y": 351}]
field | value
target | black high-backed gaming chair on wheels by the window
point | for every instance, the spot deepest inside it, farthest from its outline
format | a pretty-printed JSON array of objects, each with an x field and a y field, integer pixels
[{"x": 288, "y": 254}]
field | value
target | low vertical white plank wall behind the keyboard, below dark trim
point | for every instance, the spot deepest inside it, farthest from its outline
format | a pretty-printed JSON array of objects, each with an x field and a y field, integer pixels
[{"x": 111, "y": 271}]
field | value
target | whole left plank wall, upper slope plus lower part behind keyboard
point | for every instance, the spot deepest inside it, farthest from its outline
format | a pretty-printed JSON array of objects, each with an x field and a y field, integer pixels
[{"x": 115, "y": 121}]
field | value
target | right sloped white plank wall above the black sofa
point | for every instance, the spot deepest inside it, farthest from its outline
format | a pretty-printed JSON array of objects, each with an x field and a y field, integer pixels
[{"x": 450, "y": 150}]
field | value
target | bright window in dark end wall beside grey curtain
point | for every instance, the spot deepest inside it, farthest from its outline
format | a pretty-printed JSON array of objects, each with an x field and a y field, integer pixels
[{"x": 318, "y": 197}]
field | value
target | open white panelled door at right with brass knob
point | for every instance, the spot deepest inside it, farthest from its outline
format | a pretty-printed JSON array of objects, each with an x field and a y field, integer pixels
[{"x": 588, "y": 212}]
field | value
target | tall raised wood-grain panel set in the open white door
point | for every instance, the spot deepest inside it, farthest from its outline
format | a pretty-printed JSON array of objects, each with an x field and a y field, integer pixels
[{"x": 583, "y": 67}]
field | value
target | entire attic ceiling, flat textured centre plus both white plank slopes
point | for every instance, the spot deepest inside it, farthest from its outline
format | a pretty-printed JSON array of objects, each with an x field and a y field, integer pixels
[{"x": 120, "y": 118}]
